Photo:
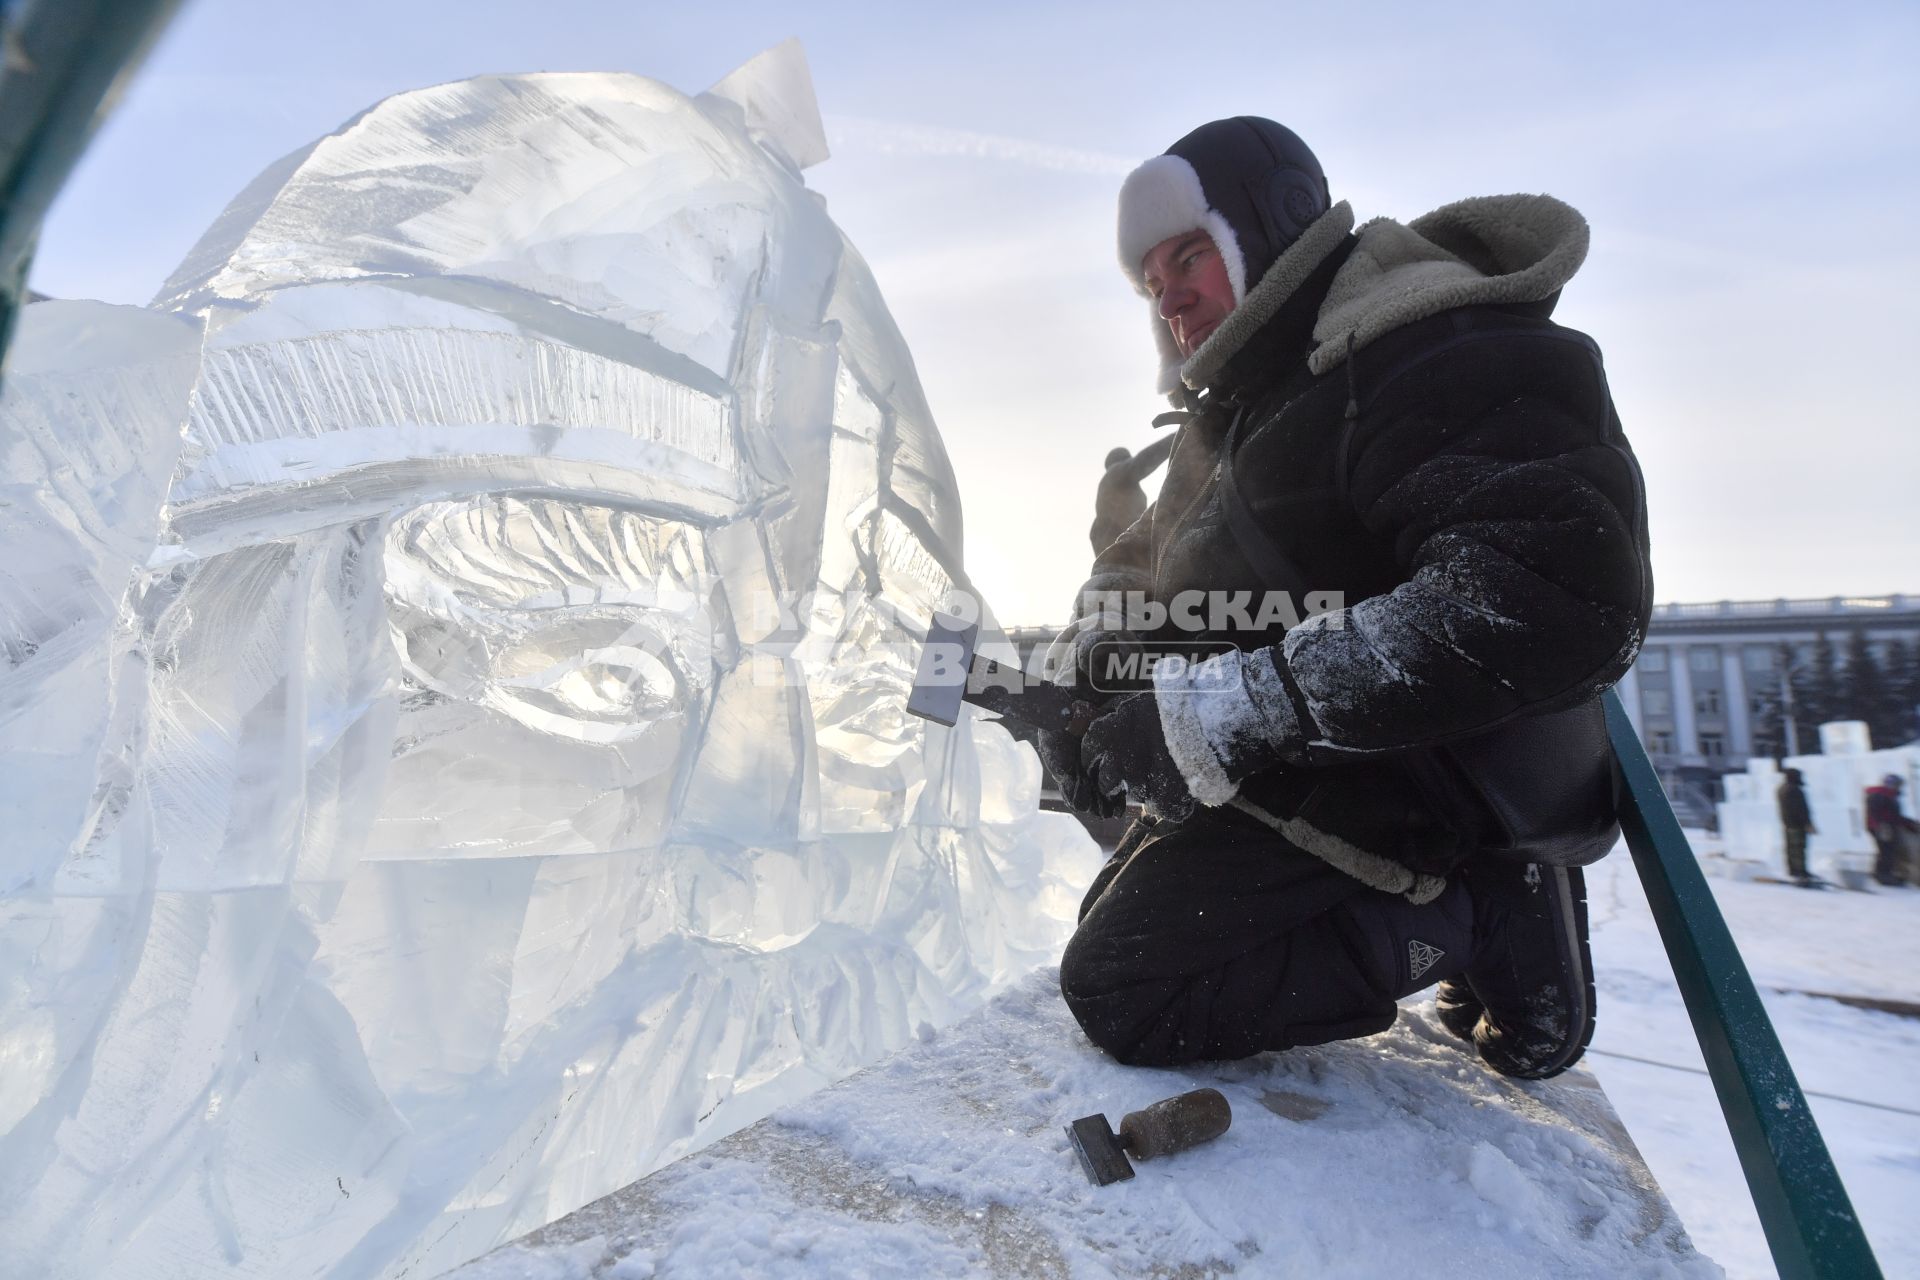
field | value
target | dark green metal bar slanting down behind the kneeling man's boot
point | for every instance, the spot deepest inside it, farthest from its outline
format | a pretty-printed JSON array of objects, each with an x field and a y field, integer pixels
[{"x": 1806, "y": 1214}]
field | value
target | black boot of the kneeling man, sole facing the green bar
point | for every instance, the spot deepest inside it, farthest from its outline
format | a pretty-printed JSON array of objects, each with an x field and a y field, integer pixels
[{"x": 1527, "y": 997}]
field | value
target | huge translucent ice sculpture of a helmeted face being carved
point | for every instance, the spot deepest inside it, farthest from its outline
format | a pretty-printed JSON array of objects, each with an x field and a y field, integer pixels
[{"x": 456, "y": 661}]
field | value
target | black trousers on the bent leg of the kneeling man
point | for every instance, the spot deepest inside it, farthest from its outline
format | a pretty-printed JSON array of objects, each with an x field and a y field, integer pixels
[{"x": 1218, "y": 939}]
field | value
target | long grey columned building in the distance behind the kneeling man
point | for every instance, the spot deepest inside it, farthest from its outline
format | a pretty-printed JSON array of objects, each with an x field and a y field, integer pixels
[{"x": 1708, "y": 675}]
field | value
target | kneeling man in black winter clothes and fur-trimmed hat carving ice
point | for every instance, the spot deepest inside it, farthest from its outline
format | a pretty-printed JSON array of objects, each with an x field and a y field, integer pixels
[{"x": 1391, "y": 417}]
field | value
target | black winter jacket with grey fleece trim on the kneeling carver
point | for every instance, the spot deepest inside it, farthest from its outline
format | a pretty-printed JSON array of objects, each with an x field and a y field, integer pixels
[{"x": 1460, "y": 479}]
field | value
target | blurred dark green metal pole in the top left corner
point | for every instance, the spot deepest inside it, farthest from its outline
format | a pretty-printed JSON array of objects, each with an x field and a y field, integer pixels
[{"x": 62, "y": 64}]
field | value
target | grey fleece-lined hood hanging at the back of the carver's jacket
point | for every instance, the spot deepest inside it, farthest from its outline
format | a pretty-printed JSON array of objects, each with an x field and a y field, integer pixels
[{"x": 1476, "y": 252}]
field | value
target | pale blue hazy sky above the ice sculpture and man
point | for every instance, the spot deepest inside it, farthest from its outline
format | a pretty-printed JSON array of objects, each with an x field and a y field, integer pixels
[{"x": 1752, "y": 174}]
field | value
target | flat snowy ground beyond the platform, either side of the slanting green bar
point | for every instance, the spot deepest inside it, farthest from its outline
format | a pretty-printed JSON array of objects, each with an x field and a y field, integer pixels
[{"x": 1794, "y": 941}]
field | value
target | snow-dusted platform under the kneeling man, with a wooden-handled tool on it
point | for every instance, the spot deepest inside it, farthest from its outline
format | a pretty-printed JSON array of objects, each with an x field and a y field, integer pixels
[{"x": 1387, "y": 1156}]
